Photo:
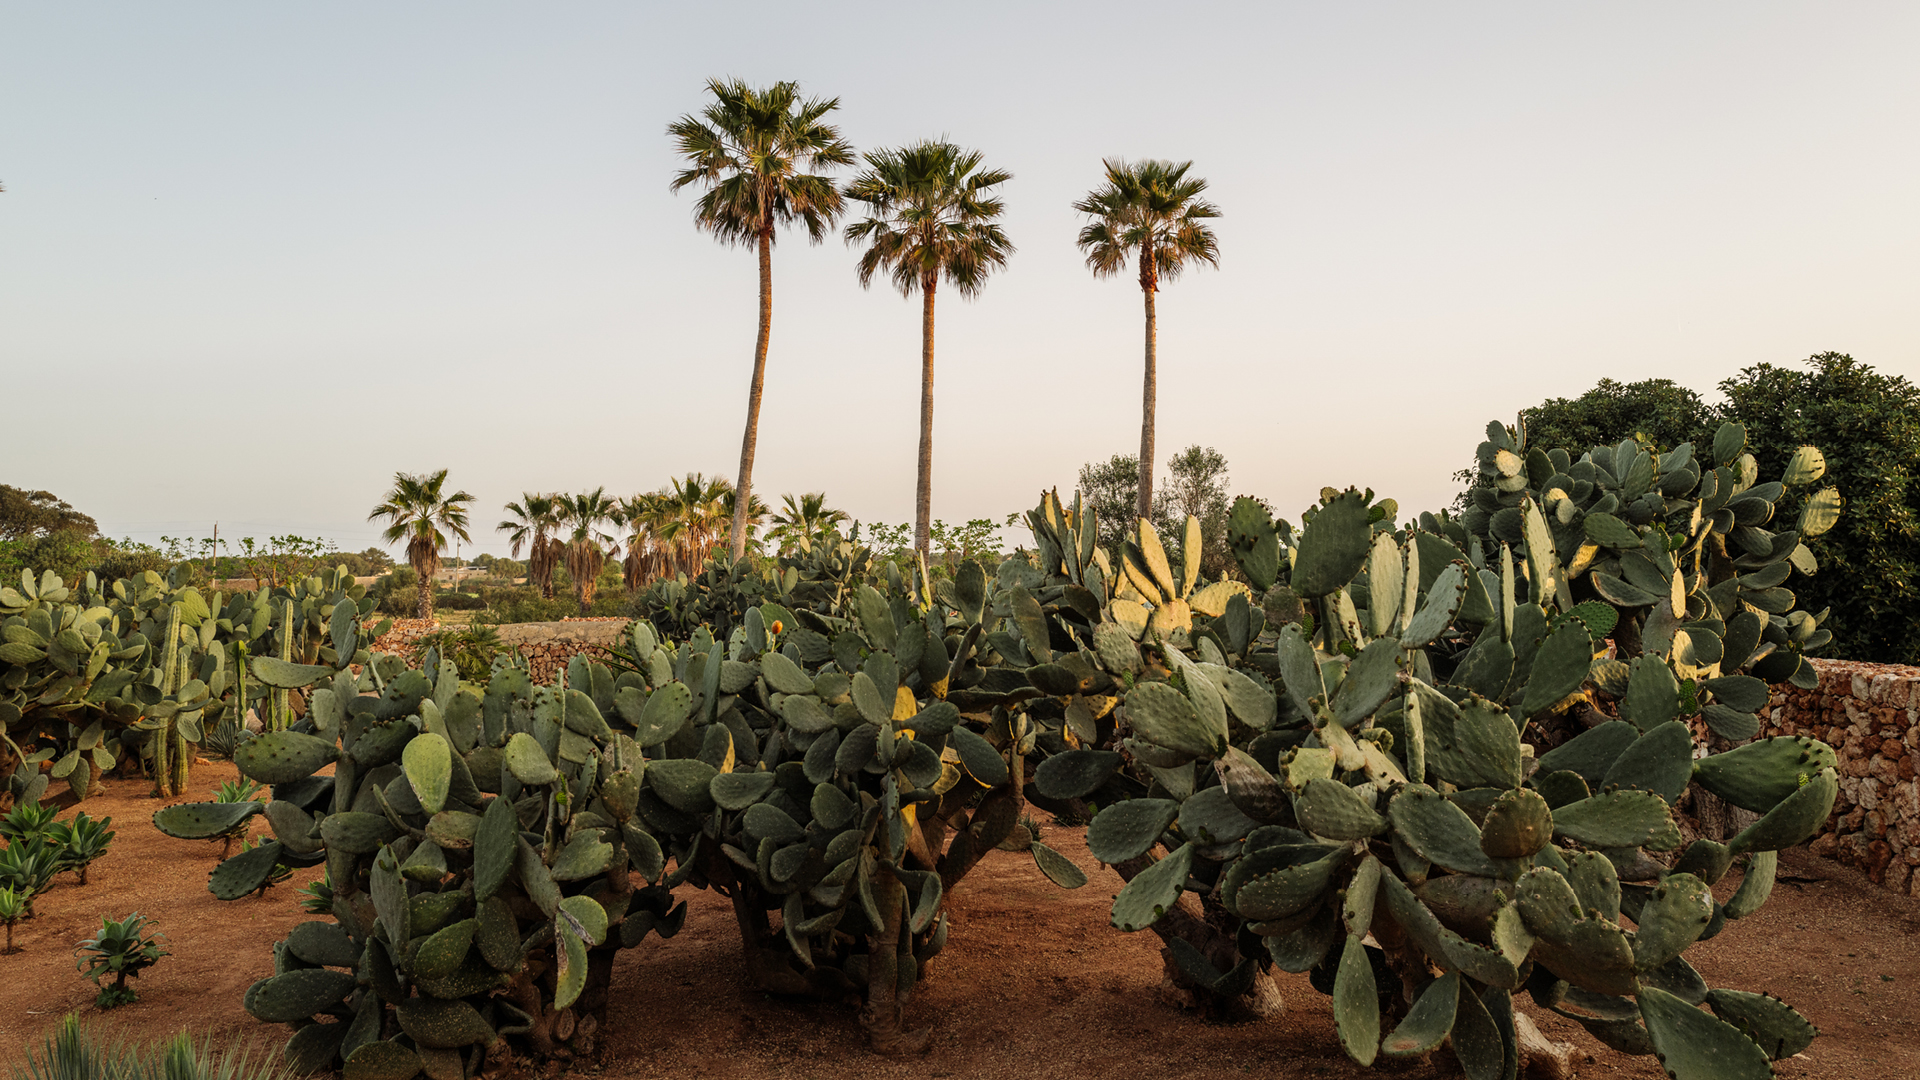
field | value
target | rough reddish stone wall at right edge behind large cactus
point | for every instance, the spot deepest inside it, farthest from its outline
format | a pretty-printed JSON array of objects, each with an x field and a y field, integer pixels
[{"x": 1871, "y": 716}]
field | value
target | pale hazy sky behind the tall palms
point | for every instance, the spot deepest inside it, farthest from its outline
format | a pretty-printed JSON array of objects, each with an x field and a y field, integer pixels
[{"x": 256, "y": 258}]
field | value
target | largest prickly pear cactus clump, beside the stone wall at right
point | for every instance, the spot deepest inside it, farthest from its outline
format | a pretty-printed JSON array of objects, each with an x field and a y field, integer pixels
[{"x": 1337, "y": 781}]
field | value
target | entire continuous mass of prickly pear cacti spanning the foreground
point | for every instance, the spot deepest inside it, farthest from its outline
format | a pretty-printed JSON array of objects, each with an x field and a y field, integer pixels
[{"x": 1324, "y": 770}]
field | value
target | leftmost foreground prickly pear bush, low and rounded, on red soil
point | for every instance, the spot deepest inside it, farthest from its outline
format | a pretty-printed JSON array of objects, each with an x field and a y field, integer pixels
[{"x": 481, "y": 850}]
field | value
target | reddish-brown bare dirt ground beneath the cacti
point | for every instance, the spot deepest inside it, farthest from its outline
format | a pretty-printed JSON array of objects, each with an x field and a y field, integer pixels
[{"x": 1032, "y": 983}]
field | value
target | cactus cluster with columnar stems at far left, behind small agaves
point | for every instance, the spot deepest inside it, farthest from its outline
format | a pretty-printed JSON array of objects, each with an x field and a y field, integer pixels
[{"x": 139, "y": 666}]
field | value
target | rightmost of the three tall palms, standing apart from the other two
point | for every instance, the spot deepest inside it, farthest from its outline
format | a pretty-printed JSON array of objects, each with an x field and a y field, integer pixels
[{"x": 1149, "y": 212}]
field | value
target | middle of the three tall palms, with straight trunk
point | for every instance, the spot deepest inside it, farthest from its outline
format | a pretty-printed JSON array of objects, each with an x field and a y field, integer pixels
[{"x": 930, "y": 216}]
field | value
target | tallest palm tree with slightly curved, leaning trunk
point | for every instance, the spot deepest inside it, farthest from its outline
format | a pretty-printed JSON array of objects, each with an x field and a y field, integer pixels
[{"x": 757, "y": 151}]
